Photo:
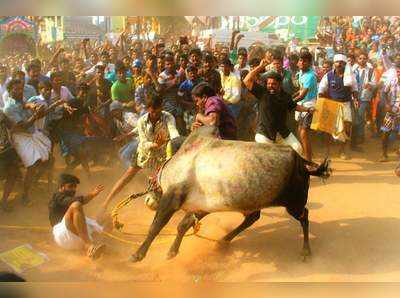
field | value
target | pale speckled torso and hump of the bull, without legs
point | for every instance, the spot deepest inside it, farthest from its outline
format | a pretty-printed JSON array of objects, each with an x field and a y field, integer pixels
[{"x": 222, "y": 175}]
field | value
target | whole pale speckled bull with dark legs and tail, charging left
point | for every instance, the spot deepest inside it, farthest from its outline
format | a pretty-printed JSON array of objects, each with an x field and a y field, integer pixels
[{"x": 209, "y": 175}]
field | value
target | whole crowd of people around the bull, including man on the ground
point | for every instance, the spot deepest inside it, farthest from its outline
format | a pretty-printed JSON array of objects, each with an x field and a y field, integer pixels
[{"x": 129, "y": 101}]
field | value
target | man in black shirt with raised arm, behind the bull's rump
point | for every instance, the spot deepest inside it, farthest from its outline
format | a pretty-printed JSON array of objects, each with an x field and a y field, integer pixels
[{"x": 273, "y": 106}]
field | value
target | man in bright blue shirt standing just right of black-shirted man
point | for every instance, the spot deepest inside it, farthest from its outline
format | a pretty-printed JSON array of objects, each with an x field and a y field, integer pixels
[{"x": 306, "y": 97}]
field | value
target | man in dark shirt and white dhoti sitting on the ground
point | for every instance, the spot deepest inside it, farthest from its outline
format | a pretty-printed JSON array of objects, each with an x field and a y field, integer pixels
[{"x": 72, "y": 230}]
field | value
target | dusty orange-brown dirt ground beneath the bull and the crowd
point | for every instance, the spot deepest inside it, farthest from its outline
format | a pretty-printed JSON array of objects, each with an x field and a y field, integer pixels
[{"x": 355, "y": 224}]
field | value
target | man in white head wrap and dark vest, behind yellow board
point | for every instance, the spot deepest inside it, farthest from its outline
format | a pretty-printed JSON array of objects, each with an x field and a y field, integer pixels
[{"x": 340, "y": 85}]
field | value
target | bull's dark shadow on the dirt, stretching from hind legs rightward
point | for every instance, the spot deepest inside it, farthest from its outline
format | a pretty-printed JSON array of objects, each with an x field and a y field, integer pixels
[{"x": 350, "y": 246}]
